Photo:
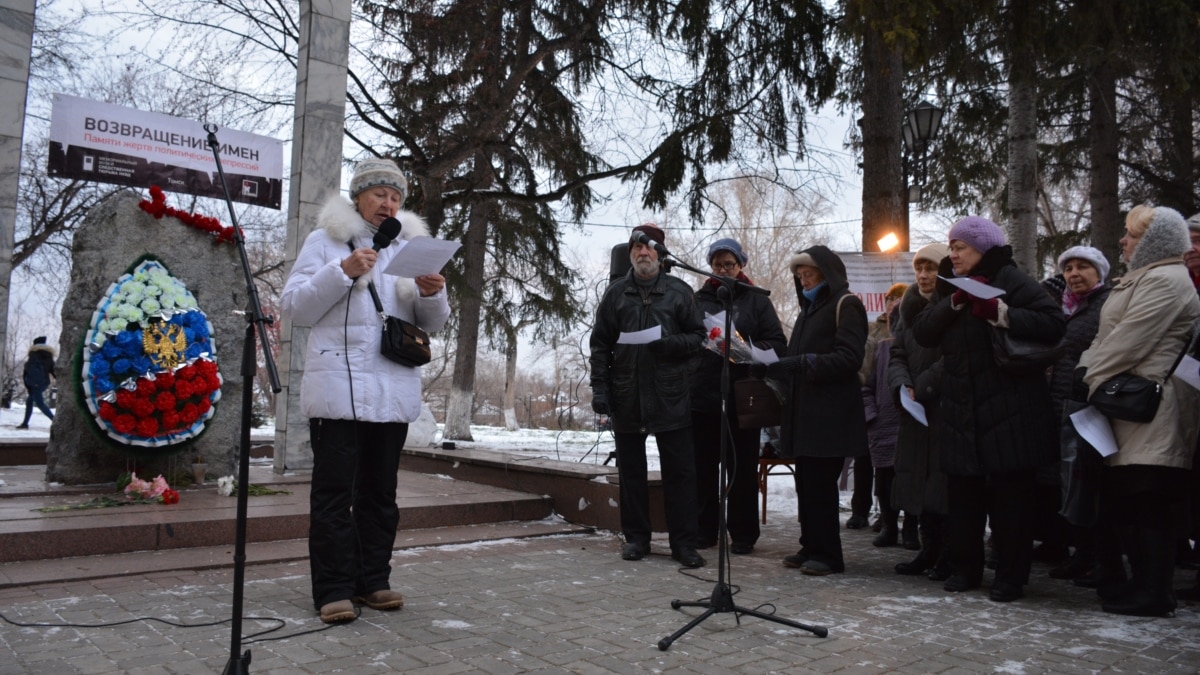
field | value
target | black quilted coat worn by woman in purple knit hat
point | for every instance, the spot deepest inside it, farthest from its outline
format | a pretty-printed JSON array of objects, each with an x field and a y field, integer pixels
[{"x": 993, "y": 420}]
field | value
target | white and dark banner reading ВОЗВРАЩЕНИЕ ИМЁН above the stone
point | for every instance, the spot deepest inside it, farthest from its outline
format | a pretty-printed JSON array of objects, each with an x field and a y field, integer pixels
[{"x": 107, "y": 144}]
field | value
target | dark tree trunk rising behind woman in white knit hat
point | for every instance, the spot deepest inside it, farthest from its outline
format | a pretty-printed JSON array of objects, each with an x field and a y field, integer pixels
[{"x": 1105, "y": 150}]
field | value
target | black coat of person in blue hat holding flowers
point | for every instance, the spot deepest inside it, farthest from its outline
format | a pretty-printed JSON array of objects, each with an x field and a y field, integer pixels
[{"x": 755, "y": 320}]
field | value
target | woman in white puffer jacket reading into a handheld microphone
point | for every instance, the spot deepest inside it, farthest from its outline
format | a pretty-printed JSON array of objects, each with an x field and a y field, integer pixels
[{"x": 358, "y": 403}]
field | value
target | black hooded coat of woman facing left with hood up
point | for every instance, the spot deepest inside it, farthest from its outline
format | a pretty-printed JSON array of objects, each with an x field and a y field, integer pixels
[{"x": 824, "y": 415}]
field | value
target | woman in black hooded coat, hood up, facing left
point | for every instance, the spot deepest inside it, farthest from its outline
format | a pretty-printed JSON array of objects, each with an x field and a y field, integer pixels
[{"x": 824, "y": 416}]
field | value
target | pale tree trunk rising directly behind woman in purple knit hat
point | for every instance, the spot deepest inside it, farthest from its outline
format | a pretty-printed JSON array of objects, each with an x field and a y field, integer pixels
[{"x": 1023, "y": 160}]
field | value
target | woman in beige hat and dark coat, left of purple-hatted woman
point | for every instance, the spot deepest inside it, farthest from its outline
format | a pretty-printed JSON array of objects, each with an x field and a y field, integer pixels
[{"x": 916, "y": 372}]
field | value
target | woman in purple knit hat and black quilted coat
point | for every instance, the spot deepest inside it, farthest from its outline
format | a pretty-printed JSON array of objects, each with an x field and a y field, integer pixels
[{"x": 997, "y": 425}]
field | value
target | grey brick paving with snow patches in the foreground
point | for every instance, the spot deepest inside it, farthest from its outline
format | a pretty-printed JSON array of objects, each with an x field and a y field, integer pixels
[{"x": 571, "y": 605}]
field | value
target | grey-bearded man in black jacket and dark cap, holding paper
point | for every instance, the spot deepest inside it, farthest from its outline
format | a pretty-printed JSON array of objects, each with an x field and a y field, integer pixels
[{"x": 646, "y": 390}]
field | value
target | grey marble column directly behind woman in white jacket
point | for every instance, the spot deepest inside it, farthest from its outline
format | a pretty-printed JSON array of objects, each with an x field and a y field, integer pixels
[{"x": 316, "y": 172}]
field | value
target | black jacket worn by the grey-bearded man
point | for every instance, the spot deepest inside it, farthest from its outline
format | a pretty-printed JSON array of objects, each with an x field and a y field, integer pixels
[{"x": 647, "y": 393}]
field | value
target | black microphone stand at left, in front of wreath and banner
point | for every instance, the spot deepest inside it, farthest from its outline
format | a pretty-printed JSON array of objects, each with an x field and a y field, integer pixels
[{"x": 255, "y": 321}]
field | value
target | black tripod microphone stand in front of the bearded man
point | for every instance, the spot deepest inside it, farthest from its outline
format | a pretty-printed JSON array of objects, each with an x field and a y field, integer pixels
[{"x": 722, "y": 600}]
